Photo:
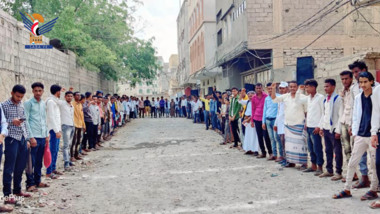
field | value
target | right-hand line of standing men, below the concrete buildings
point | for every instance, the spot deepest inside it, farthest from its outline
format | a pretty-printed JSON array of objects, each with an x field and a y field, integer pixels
[{"x": 288, "y": 123}]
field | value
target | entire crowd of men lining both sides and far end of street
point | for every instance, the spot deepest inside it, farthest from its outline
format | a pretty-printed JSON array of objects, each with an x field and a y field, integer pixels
[{"x": 286, "y": 123}]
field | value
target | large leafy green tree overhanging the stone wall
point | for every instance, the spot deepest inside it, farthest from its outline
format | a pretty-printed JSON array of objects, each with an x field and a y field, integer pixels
[{"x": 99, "y": 33}]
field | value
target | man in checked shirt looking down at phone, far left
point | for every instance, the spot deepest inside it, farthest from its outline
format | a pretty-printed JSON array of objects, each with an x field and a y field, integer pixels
[{"x": 16, "y": 144}]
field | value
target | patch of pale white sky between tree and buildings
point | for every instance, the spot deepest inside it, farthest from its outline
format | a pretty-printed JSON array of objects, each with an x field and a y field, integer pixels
[{"x": 158, "y": 18}]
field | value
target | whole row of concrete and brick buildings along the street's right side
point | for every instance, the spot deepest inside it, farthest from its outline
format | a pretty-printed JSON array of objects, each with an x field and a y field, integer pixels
[{"x": 242, "y": 42}]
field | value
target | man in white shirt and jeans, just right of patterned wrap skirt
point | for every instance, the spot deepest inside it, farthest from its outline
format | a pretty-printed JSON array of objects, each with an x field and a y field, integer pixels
[{"x": 314, "y": 114}]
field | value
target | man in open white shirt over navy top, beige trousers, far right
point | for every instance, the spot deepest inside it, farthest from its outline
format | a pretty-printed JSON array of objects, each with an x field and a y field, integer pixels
[{"x": 361, "y": 131}]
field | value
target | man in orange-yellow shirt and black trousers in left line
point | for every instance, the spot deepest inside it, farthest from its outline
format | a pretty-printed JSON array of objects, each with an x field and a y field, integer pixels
[{"x": 79, "y": 126}]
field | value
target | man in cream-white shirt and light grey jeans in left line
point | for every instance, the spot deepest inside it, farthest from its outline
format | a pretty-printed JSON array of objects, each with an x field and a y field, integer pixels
[{"x": 67, "y": 119}]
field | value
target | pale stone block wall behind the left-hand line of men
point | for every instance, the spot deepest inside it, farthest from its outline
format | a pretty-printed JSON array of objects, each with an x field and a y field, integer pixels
[{"x": 50, "y": 66}]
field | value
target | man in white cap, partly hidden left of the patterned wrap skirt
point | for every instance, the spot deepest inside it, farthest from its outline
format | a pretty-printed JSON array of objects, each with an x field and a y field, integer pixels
[{"x": 279, "y": 124}]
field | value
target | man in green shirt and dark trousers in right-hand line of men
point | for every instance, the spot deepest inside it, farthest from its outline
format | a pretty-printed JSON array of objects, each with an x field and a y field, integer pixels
[{"x": 234, "y": 116}]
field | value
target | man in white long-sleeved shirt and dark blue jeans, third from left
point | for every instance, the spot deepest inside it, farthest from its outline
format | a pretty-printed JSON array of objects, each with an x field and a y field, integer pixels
[{"x": 54, "y": 127}]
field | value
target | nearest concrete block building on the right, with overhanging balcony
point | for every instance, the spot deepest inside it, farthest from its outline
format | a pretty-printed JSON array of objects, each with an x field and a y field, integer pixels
[{"x": 262, "y": 40}]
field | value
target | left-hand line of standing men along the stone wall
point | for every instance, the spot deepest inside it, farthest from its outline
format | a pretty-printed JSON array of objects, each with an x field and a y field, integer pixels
[{"x": 31, "y": 132}]
